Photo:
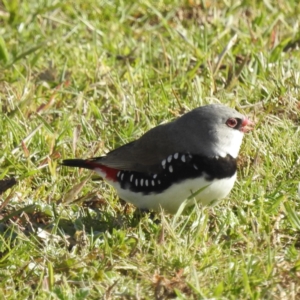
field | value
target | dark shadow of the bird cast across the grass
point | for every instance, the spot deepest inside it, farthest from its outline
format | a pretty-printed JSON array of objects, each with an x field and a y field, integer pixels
[{"x": 40, "y": 223}]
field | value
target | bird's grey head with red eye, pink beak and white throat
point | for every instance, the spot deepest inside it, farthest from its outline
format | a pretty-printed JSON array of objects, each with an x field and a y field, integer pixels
[{"x": 213, "y": 130}]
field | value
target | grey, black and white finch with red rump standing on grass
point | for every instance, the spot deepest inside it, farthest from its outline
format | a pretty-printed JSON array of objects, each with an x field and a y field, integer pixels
[{"x": 192, "y": 159}]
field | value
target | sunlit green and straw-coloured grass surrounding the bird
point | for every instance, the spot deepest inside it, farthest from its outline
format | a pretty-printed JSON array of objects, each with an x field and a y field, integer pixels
[{"x": 79, "y": 78}]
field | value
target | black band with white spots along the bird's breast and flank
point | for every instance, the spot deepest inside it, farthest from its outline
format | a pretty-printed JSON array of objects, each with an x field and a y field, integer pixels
[{"x": 176, "y": 169}]
